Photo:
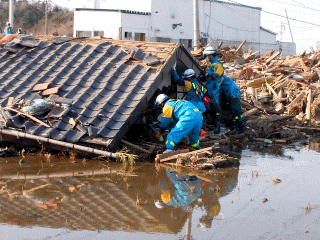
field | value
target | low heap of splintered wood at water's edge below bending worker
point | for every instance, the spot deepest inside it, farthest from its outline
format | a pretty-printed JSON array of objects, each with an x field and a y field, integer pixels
[{"x": 206, "y": 158}]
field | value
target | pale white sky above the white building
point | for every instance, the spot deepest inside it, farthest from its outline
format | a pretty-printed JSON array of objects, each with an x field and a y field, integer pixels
[{"x": 305, "y": 28}]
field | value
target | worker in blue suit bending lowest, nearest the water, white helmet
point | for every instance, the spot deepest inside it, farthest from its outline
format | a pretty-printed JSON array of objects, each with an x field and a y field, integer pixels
[{"x": 187, "y": 118}]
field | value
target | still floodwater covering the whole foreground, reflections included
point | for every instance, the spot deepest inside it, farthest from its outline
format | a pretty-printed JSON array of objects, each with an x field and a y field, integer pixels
[{"x": 272, "y": 194}]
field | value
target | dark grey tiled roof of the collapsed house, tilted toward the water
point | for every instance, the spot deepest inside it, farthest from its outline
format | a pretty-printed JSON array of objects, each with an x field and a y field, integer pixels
[{"x": 103, "y": 86}]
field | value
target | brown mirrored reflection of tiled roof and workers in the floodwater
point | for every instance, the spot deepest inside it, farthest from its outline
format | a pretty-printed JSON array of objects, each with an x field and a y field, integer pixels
[{"x": 104, "y": 196}]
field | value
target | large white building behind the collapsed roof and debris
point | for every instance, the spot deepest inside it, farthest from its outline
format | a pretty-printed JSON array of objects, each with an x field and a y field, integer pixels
[{"x": 173, "y": 21}]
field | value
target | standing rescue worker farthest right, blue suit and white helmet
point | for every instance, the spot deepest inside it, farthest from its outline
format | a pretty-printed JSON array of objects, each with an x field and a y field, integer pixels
[{"x": 220, "y": 86}]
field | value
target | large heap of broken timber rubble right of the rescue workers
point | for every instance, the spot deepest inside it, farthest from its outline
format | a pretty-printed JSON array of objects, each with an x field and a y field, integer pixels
[{"x": 279, "y": 95}]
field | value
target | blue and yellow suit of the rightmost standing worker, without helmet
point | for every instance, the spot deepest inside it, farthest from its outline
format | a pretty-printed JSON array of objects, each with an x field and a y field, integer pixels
[{"x": 219, "y": 85}]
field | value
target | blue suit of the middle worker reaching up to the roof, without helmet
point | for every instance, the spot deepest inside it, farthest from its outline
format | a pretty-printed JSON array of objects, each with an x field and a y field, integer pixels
[{"x": 195, "y": 91}]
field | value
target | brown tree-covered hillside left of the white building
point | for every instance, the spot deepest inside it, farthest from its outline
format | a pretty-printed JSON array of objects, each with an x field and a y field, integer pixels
[{"x": 31, "y": 17}]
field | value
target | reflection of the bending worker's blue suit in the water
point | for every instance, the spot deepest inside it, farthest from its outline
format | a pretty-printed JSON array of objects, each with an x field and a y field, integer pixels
[{"x": 182, "y": 196}]
